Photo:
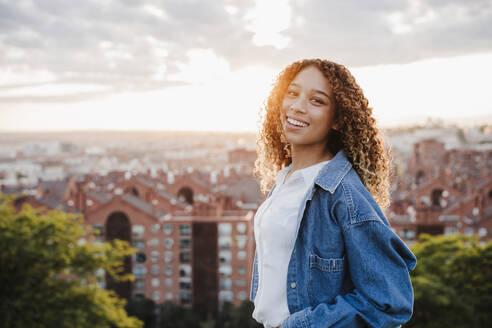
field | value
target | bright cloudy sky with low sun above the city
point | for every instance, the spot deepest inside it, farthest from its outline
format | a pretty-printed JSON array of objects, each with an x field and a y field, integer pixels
[{"x": 208, "y": 65}]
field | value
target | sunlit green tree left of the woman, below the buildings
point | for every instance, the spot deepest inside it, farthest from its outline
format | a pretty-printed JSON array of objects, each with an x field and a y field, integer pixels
[{"x": 48, "y": 274}]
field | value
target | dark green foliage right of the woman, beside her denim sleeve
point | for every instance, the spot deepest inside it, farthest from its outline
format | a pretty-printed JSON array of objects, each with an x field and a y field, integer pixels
[{"x": 452, "y": 282}]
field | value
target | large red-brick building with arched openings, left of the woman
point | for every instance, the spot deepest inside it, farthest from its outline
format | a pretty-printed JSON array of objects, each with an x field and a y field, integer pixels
[{"x": 194, "y": 238}]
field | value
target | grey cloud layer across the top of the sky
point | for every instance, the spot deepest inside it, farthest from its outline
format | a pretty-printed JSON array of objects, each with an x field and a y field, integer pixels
[{"x": 138, "y": 44}]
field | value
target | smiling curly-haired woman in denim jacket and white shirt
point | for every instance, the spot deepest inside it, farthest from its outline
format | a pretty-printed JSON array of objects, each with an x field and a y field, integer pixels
[{"x": 325, "y": 253}]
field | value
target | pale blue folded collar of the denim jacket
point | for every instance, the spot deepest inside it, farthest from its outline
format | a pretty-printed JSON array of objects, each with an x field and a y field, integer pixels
[{"x": 330, "y": 175}]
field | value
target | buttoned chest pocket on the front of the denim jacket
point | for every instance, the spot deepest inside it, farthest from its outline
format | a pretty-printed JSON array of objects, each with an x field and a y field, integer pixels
[{"x": 326, "y": 276}]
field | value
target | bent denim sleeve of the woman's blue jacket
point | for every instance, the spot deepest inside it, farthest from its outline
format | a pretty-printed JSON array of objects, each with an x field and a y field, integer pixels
[{"x": 378, "y": 262}]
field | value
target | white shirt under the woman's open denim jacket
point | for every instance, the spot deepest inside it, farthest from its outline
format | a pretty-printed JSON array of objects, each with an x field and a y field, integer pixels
[{"x": 275, "y": 226}]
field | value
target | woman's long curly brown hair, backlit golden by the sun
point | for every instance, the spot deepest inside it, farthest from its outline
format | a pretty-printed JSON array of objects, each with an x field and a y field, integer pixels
[{"x": 356, "y": 134}]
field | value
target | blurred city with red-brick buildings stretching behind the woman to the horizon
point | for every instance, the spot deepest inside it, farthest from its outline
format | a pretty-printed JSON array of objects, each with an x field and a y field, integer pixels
[{"x": 186, "y": 200}]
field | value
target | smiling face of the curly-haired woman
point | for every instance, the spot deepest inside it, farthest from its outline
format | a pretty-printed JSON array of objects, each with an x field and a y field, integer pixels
[{"x": 308, "y": 108}]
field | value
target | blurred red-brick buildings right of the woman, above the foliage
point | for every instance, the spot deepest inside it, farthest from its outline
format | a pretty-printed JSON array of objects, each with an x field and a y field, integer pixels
[{"x": 443, "y": 192}]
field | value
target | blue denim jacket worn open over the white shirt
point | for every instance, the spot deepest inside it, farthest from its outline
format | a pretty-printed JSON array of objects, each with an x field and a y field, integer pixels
[{"x": 347, "y": 267}]
